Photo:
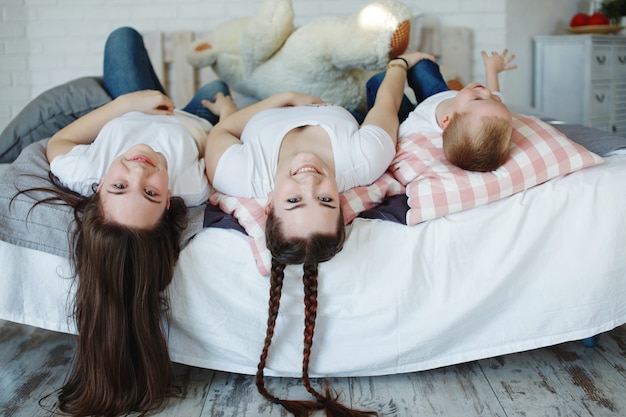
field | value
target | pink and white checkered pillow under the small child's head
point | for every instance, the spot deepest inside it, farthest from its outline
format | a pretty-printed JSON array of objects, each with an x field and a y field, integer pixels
[{"x": 436, "y": 188}]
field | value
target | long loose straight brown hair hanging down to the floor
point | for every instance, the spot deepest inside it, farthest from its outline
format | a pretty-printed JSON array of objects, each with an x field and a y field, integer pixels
[{"x": 121, "y": 362}]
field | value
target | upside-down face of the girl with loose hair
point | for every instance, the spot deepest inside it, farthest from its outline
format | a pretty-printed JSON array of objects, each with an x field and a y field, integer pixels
[{"x": 134, "y": 191}]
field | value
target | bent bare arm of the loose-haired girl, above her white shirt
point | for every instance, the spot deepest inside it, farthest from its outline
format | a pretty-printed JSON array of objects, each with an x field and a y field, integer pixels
[{"x": 85, "y": 129}]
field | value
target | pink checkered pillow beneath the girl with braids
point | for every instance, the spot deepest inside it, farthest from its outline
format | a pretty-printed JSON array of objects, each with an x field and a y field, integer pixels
[{"x": 250, "y": 212}]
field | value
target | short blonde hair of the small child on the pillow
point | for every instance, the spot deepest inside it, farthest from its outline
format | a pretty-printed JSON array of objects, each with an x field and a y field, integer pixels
[{"x": 483, "y": 147}]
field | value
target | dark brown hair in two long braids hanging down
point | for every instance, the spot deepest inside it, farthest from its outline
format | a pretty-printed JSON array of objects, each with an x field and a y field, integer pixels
[{"x": 310, "y": 252}]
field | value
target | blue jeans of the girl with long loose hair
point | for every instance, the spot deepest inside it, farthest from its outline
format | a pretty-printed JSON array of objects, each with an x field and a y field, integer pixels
[{"x": 127, "y": 68}]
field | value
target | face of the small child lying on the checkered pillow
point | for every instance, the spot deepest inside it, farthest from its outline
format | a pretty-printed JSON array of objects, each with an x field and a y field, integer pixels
[{"x": 479, "y": 101}]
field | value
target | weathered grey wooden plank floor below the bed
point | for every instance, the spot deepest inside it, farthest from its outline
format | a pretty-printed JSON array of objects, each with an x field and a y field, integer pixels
[{"x": 564, "y": 380}]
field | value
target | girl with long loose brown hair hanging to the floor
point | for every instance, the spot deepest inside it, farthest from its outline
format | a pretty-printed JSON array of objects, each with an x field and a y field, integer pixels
[{"x": 143, "y": 158}]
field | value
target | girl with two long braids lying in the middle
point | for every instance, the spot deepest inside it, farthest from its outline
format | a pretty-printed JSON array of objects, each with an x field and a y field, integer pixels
[{"x": 300, "y": 154}]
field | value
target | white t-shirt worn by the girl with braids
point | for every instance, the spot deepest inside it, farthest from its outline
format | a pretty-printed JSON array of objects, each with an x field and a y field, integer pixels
[{"x": 361, "y": 155}]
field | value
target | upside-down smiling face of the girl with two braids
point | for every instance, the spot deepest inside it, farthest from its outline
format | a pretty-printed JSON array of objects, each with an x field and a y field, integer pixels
[{"x": 305, "y": 196}]
